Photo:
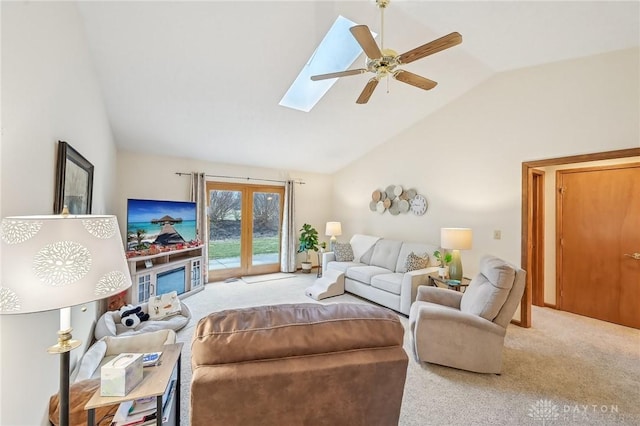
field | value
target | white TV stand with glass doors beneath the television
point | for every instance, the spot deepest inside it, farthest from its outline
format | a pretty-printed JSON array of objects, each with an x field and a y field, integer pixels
[{"x": 145, "y": 271}]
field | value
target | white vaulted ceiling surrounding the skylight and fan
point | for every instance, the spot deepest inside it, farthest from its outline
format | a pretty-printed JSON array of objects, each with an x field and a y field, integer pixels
[{"x": 203, "y": 79}]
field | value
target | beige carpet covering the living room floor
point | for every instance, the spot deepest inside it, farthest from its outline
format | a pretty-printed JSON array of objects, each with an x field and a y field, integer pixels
[{"x": 565, "y": 370}]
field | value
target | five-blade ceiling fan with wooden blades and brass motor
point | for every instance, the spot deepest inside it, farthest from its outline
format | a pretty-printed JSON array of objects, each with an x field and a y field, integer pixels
[{"x": 385, "y": 62}]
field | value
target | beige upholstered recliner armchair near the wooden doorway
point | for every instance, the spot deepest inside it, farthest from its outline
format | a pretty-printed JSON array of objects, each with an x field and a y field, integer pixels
[{"x": 466, "y": 330}]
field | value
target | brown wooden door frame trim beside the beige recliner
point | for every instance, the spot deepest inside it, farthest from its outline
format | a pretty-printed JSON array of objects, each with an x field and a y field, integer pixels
[{"x": 527, "y": 237}]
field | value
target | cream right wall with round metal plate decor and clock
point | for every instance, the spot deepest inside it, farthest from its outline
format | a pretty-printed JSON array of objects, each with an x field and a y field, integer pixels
[{"x": 466, "y": 158}]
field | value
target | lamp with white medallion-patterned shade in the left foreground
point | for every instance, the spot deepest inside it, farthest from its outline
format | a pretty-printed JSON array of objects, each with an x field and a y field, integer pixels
[{"x": 55, "y": 262}]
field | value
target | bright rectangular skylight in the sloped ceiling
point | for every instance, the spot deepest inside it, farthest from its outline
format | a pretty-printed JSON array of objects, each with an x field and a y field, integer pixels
[{"x": 337, "y": 52}]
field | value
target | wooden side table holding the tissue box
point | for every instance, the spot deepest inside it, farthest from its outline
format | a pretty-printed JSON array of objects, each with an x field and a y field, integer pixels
[{"x": 155, "y": 382}]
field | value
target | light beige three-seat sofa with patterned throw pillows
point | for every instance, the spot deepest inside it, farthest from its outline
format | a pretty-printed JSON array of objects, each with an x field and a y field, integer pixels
[{"x": 378, "y": 271}]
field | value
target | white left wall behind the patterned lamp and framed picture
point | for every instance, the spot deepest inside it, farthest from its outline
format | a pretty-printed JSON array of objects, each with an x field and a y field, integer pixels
[{"x": 49, "y": 93}]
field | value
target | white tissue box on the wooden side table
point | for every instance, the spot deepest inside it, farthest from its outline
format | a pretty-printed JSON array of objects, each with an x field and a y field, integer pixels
[{"x": 120, "y": 375}]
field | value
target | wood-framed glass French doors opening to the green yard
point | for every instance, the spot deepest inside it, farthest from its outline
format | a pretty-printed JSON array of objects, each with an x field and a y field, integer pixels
[{"x": 245, "y": 223}]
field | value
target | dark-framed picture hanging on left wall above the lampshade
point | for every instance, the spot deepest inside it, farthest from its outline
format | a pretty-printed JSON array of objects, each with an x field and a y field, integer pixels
[{"x": 74, "y": 181}]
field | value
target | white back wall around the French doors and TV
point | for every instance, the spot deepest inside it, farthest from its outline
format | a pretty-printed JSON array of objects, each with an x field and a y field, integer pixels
[{"x": 154, "y": 177}]
